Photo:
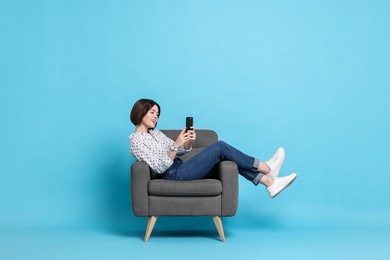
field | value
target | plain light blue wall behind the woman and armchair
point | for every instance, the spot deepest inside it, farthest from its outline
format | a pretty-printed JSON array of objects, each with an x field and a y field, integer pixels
[{"x": 312, "y": 76}]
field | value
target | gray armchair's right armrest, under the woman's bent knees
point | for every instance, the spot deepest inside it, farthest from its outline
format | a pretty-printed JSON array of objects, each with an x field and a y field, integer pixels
[{"x": 228, "y": 174}]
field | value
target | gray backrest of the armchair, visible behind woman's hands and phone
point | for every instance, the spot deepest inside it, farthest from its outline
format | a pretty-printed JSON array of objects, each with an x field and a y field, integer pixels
[{"x": 204, "y": 138}]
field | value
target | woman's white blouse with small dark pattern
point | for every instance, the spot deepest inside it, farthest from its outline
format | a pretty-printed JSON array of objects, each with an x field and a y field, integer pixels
[{"x": 152, "y": 148}]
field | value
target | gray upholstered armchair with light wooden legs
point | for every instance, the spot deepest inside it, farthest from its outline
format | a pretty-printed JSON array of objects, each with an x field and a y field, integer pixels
[{"x": 216, "y": 197}]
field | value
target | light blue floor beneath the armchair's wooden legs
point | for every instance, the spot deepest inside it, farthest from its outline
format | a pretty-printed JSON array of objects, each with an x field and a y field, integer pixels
[{"x": 195, "y": 244}]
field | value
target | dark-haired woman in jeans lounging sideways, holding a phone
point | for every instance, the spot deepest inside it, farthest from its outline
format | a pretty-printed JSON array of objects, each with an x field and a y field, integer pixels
[{"x": 149, "y": 145}]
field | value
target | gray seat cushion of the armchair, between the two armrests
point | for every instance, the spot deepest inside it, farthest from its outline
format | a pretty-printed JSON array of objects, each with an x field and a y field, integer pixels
[{"x": 196, "y": 188}]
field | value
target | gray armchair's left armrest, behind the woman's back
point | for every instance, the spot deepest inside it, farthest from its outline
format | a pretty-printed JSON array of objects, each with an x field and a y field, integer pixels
[{"x": 140, "y": 177}]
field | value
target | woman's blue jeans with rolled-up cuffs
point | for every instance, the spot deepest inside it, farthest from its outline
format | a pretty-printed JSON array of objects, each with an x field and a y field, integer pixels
[{"x": 202, "y": 164}]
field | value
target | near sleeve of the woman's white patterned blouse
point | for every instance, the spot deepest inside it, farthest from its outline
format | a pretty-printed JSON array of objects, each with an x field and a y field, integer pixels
[{"x": 158, "y": 159}]
